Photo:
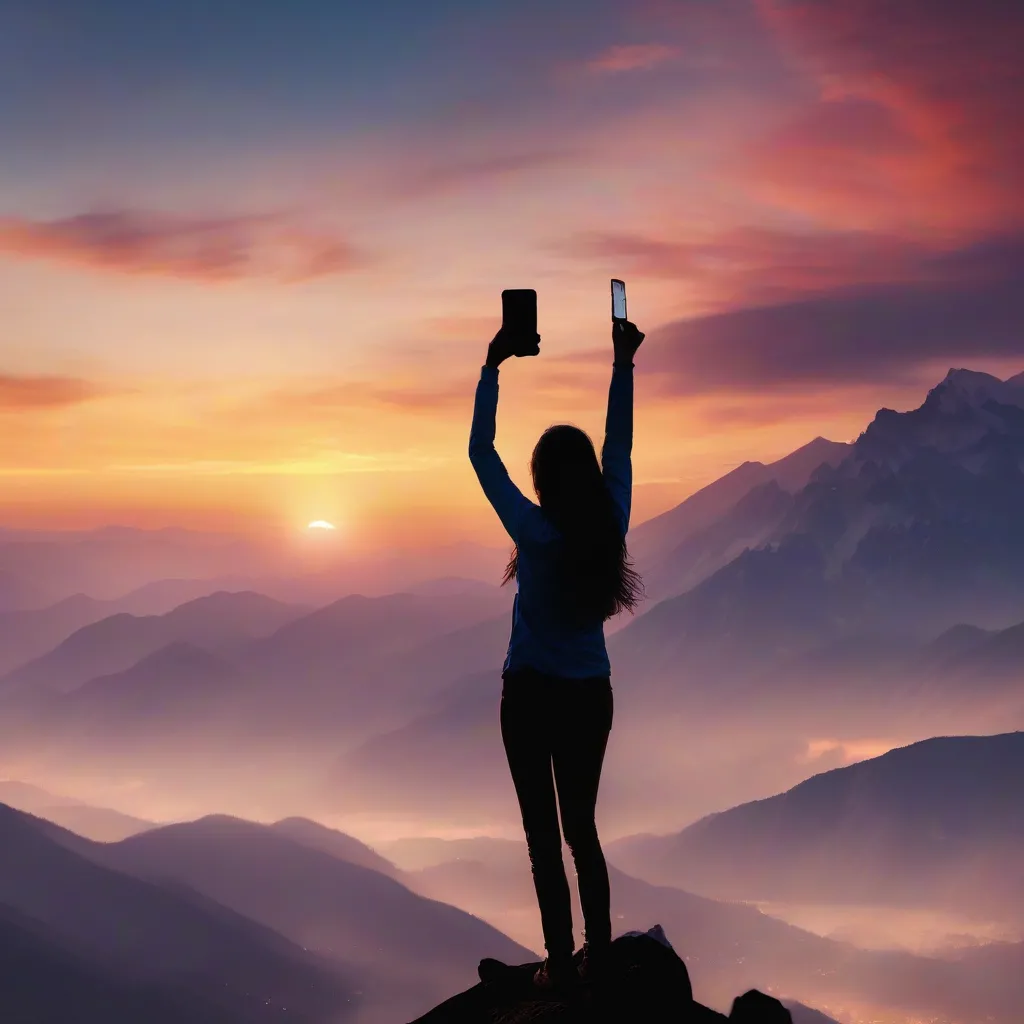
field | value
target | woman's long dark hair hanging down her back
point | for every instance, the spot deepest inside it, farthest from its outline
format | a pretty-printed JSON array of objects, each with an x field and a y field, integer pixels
[{"x": 594, "y": 575}]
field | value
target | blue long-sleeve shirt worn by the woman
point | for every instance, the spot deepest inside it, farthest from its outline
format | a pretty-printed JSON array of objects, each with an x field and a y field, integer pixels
[{"x": 541, "y": 638}]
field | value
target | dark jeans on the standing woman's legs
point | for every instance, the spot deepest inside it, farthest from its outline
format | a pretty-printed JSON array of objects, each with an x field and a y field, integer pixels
[{"x": 553, "y": 726}]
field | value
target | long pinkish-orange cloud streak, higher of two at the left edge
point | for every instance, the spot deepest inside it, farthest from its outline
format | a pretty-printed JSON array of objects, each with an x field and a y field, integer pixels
[{"x": 209, "y": 249}]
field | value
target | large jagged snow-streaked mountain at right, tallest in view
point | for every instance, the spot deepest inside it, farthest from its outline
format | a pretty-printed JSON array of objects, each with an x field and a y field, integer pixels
[{"x": 920, "y": 528}]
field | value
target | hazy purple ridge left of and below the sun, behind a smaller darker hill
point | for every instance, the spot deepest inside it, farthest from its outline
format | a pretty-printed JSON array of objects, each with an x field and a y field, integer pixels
[{"x": 221, "y": 622}]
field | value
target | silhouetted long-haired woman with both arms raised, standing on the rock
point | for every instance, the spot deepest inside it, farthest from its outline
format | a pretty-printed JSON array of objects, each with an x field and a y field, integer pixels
[{"x": 573, "y": 573}]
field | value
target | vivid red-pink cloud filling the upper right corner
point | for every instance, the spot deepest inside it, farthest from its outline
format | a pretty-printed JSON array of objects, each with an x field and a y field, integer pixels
[{"x": 917, "y": 121}]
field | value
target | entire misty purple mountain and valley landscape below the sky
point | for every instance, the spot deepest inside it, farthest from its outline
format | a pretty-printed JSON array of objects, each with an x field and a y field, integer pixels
[{"x": 283, "y": 786}]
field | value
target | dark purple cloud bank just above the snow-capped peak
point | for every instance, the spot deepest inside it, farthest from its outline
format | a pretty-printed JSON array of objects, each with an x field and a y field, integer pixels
[{"x": 973, "y": 309}]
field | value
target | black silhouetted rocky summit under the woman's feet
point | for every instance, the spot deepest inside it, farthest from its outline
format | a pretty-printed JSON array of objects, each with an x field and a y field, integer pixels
[{"x": 646, "y": 980}]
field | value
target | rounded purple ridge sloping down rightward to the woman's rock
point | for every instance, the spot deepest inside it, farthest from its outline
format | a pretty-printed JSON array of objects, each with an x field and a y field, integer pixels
[{"x": 415, "y": 949}]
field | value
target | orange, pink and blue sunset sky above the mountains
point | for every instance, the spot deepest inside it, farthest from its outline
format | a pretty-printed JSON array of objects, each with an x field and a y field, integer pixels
[{"x": 251, "y": 253}]
